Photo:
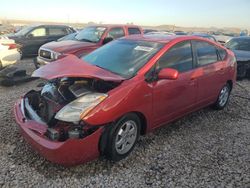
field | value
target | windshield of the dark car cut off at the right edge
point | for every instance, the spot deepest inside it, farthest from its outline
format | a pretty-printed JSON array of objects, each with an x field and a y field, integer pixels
[{"x": 239, "y": 44}]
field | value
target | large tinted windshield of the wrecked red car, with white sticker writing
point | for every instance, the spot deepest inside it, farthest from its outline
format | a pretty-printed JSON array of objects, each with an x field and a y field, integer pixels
[{"x": 123, "y": 57}]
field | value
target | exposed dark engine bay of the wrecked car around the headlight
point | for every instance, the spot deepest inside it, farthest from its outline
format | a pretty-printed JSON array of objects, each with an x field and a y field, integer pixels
[{"x": 43, "y": 105}]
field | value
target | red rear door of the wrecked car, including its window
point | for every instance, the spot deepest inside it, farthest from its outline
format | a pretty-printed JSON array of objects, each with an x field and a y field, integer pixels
[{"x": 210, "y": 72}]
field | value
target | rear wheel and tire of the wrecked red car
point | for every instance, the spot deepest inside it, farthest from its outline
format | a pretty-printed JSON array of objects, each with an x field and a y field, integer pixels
[{"x": 222, "y": 102}]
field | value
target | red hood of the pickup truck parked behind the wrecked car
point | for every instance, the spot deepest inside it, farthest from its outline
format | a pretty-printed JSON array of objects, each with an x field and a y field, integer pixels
[{"x": 67, "y": 45}]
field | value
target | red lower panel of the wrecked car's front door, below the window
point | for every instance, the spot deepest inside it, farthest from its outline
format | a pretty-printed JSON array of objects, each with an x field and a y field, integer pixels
[{"x": 168, "y": 101}]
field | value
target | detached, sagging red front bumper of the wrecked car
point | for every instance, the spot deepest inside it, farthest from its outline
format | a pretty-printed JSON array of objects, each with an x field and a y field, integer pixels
[{"x": 68, "y": 153}]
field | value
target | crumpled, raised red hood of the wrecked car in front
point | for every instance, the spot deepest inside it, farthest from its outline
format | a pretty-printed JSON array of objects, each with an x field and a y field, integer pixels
[{"x": 72, "y": 66}]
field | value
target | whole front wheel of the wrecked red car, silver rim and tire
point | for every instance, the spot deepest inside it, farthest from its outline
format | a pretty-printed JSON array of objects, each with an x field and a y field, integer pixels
[{"x": 123, "y": 137}]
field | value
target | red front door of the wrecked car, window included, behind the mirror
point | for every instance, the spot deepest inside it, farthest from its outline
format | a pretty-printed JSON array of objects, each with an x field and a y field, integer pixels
[{"x": 173, "y": 98}]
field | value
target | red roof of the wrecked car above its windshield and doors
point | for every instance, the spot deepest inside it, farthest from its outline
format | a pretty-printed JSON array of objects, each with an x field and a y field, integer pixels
[{"x": 161, "y": 38}]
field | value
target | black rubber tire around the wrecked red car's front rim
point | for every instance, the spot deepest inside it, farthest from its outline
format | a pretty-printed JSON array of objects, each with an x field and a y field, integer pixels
[{"x": 111, "y": 152}]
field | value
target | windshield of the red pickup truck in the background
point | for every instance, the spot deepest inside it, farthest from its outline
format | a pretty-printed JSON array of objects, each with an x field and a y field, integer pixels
[{"x": 90, "y": 34}]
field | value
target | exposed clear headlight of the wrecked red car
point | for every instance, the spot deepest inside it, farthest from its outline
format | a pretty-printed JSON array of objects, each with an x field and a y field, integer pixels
[{"x": 77, "y": 109}]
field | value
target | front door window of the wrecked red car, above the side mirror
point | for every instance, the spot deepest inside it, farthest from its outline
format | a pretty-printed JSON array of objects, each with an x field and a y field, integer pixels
[{"x": 179, "y": 57}]
